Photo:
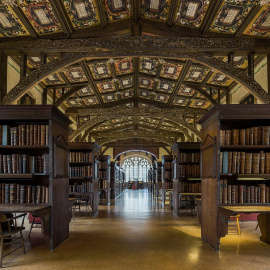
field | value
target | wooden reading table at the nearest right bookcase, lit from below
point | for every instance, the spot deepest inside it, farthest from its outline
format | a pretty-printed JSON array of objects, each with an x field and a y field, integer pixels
[{"x": 263, "y": 217}]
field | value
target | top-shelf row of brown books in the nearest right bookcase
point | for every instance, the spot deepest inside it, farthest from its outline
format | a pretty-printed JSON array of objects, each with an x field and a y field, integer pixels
[{"x": 250, "y": 136}]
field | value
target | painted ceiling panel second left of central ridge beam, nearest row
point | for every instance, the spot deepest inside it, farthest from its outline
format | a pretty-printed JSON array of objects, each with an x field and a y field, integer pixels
[{"x": 82, "y": 13}]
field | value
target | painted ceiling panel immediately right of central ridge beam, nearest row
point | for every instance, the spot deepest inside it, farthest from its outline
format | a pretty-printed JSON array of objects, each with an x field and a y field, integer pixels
[{"x": 155, "y": 9}]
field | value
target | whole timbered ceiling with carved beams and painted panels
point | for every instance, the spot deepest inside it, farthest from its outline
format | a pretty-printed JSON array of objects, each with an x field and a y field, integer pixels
[{"x": 129, "y": 69}]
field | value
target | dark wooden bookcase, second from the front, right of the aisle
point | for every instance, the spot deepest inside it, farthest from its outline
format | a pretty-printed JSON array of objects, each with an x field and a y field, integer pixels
[{"x": 186, "y": 172}]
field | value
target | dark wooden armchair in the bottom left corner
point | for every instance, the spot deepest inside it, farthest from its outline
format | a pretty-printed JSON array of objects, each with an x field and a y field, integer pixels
[{"x": 8, "y": 229}]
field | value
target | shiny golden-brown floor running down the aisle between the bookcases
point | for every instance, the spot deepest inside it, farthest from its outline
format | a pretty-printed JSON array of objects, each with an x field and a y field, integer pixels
[{"x": 137, "y": 233}]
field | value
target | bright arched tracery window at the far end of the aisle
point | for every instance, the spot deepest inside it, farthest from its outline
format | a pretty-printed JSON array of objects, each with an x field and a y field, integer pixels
[{"x": 136, "y": 168}]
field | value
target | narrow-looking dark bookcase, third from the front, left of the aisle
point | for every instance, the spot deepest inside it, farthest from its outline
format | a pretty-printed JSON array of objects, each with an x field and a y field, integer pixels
[{"x": 104, "y": 179}]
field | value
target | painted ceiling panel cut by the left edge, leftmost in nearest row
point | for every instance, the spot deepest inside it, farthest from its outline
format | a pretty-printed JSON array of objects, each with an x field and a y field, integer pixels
[{"x": 10, "y": 24}]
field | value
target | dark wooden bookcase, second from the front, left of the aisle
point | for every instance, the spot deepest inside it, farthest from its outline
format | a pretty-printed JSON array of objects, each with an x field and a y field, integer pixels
[{"x": 83, "y": 175}]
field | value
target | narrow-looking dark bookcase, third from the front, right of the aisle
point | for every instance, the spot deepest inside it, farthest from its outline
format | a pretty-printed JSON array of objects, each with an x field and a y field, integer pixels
[{"x": 167, "y": 176}]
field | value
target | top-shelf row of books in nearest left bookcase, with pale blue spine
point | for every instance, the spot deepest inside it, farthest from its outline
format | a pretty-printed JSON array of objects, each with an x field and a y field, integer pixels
[{"x": 24, "y": 135}]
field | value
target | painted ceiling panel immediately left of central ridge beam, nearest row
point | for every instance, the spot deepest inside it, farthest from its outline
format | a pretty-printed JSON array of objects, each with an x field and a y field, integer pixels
[{"x": 117, "y": 9}]
